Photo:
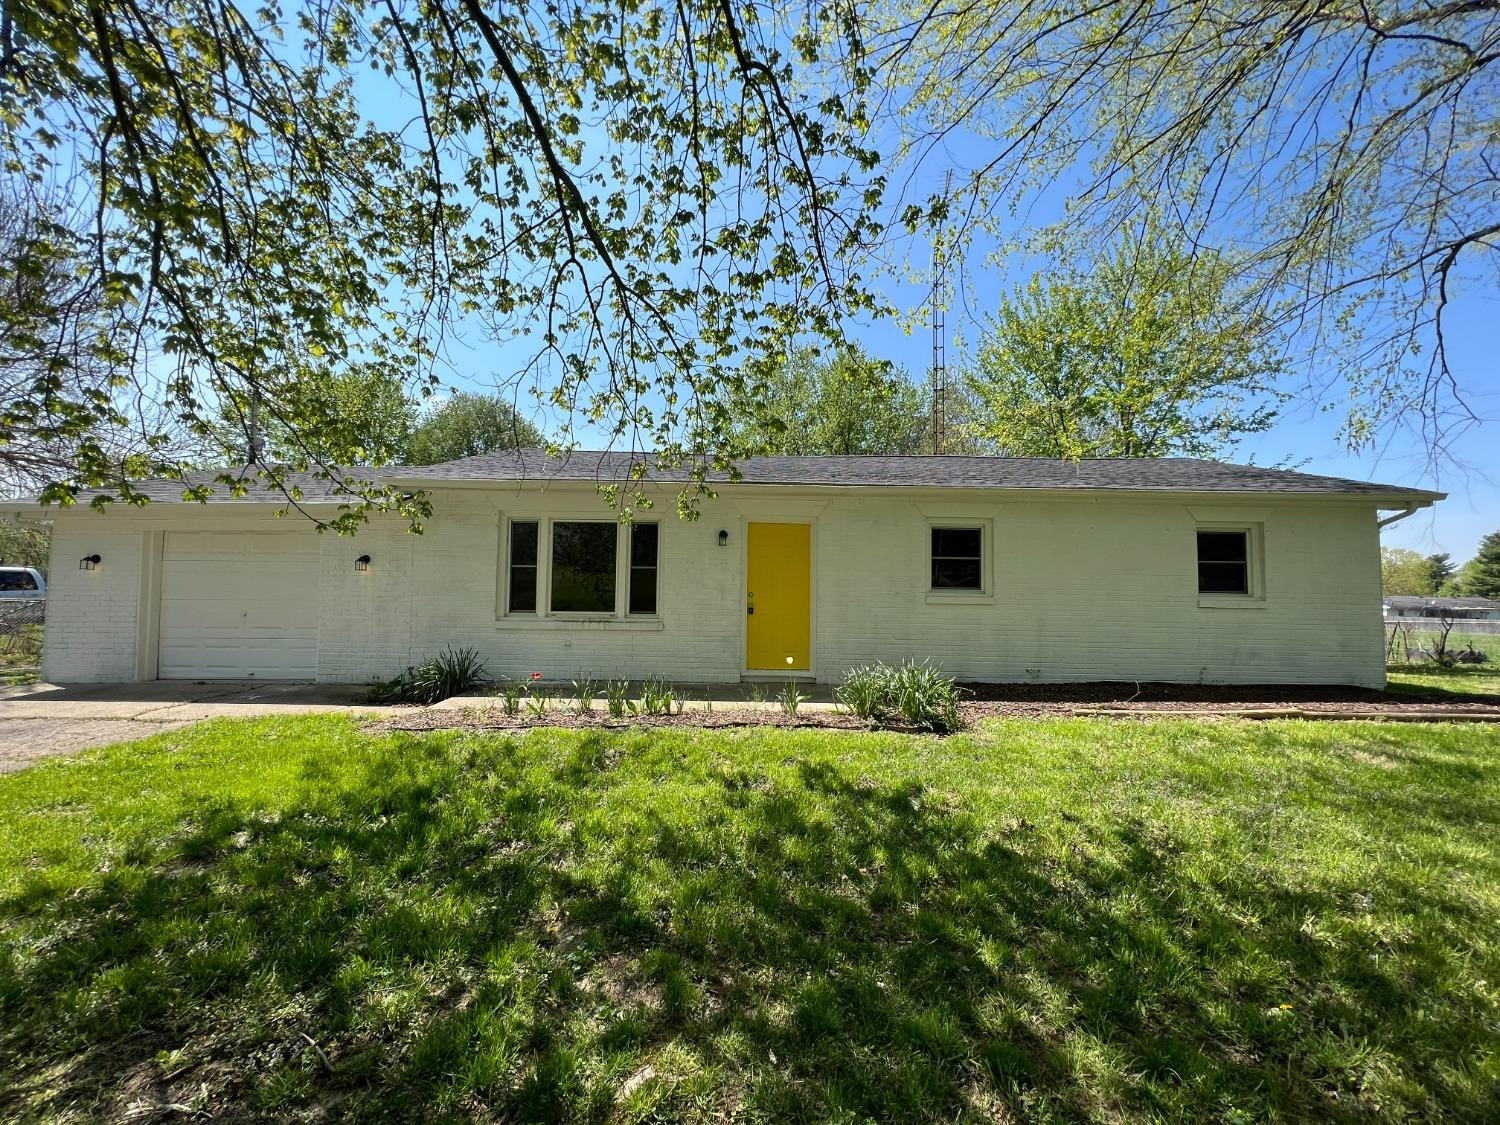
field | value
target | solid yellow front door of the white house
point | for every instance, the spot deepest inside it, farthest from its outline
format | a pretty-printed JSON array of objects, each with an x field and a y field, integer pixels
[{"x": 779, "y": 598}]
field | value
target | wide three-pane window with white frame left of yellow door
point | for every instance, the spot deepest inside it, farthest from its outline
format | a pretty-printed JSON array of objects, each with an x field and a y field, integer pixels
[{"x": 563, "y": 568}]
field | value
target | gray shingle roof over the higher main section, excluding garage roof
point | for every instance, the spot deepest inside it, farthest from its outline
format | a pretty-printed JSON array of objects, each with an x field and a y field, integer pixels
[{"x": 1148, "y": 475}]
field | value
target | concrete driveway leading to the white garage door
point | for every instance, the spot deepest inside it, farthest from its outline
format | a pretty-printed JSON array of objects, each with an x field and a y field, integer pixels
[{"x": 38, "y": 721}]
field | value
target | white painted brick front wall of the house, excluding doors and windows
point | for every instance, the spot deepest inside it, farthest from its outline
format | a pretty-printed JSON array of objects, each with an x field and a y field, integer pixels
[{"x": 1082, "y": 590}]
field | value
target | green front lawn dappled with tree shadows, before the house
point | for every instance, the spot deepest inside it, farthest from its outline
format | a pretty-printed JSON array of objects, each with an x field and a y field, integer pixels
[{"x": 1040, "y": 920}]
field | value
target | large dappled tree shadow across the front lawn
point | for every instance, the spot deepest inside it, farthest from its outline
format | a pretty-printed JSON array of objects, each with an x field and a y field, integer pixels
[{"x": 475, "y": 934}]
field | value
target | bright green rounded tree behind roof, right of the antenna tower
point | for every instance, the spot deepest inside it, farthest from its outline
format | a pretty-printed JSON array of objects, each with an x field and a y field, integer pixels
[{"x": 1147, "y": 356}]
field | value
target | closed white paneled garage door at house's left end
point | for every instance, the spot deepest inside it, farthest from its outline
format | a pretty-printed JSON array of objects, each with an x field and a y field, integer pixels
[{"x": 239, "y": 605}]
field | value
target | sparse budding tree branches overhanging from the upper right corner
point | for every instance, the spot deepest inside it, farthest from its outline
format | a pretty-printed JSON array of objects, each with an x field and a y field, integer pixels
[{"x": 1346, "y": 151}]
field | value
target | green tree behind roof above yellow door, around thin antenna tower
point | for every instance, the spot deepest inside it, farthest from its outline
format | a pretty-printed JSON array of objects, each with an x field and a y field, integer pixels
[{"x": 835, "y": 406}]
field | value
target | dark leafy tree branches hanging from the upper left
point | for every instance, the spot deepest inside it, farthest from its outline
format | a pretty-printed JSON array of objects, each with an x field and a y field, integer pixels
[{"x": 640, "y": 199}]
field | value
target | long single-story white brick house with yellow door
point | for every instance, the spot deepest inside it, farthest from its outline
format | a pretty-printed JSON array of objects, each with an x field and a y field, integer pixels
[{"x": 1000, "y": 569}]
